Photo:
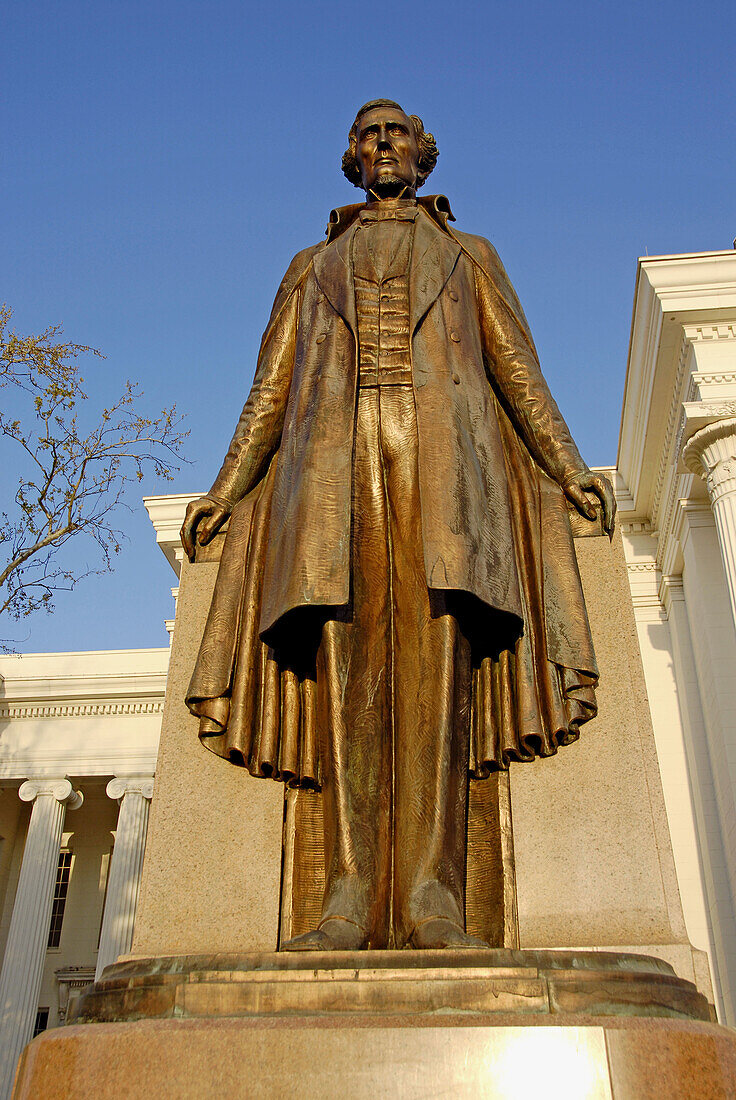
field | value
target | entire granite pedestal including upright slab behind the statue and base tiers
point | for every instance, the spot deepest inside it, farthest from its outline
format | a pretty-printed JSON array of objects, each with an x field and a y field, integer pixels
[{"x": 607, "y": 998}]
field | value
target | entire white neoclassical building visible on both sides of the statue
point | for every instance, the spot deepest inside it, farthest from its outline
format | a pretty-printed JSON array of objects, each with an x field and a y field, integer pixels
[{"x": 80, "y": 732}]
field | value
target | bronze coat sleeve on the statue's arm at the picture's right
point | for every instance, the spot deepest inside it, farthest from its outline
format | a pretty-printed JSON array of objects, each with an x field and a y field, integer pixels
[{"x": 514, "y": 368}]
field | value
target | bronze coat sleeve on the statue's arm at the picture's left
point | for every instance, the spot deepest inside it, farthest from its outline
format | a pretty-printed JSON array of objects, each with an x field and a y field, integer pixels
[{"x": 261, "y": 423}]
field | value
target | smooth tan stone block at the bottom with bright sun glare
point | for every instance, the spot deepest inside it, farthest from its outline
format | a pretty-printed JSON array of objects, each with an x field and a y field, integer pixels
[{"x": 372, "y": 1058}]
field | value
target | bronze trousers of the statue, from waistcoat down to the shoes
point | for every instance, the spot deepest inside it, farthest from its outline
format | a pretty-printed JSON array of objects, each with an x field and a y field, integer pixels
[{"x": 394, "y": 694}]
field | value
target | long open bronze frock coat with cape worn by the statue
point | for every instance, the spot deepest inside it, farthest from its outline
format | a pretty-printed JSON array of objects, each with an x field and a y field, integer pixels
[{"x": 493, "y": 454}]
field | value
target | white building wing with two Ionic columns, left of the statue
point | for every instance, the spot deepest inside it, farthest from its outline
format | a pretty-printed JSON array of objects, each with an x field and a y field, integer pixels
[{"x": 79, "y": 744}]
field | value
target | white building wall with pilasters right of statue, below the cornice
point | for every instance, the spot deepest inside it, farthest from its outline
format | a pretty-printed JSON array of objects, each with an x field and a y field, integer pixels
[{"x": 688, "y": 645}]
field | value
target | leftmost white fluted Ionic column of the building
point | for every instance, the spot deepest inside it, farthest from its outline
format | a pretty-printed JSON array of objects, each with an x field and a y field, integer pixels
[{"x": 26, "y": 951}]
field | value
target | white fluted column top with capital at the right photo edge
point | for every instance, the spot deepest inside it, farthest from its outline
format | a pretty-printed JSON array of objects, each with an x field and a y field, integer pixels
[{"x": 711, "y": 454}]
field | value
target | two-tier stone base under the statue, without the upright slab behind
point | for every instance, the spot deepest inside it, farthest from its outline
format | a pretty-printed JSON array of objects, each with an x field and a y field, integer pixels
[{"x": 513, "y": 1026}]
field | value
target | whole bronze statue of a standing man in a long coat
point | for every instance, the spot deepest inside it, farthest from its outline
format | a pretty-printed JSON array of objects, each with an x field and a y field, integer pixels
[{"x": 399, "y": 606}]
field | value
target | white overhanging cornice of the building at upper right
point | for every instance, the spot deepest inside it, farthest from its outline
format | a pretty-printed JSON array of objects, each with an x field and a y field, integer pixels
[{"x": 679, "y": 380}]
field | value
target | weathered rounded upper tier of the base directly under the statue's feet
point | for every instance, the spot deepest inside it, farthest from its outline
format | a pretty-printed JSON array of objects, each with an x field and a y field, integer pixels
[{"x": 457, "y": 983}]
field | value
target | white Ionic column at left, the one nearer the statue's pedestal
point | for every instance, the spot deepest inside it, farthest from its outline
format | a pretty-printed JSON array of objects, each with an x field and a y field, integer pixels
[{"x": 134, "y": 796}]
